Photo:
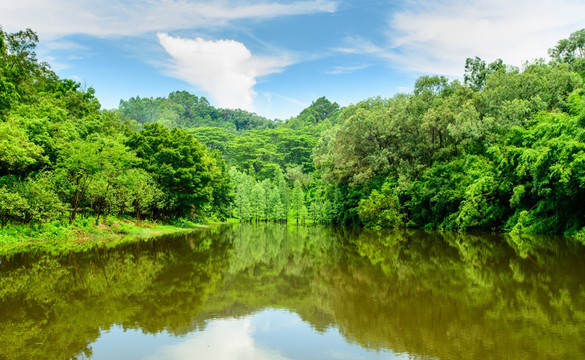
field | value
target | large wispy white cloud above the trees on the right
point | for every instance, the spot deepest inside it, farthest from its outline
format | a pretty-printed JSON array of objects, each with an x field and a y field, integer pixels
[{"x": 437, "y": 37}]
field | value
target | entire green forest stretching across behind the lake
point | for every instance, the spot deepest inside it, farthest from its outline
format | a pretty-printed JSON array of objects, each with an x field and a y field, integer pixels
[{"x": 504, "y": 150}]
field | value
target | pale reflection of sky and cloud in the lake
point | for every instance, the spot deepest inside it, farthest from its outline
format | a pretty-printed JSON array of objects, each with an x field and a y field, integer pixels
[{"x": 268, "y": 334}]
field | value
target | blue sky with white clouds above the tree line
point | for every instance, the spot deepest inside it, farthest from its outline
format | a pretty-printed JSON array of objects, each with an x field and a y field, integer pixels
[{"x": 275, "y": 57}]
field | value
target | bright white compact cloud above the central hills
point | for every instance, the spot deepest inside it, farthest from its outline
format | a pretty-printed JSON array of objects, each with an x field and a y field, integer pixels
[{"x": 225, "y": 69}]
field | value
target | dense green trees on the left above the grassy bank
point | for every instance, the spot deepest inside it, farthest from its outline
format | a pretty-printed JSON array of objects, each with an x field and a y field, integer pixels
[{"x": 61, "y": 155}]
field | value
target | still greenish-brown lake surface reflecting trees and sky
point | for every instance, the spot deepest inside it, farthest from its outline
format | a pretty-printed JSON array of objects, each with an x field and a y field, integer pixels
[{"x": 278, "y": 292}]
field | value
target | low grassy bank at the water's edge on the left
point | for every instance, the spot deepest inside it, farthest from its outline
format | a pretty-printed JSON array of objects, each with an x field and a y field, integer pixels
[{"x": 83, "y": 234}]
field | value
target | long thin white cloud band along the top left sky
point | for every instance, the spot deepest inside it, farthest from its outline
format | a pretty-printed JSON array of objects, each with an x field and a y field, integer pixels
[{"x": 55, "y": 18}]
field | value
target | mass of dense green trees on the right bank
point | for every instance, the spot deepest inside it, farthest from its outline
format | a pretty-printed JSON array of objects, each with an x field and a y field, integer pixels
[{"x": 504, "y": 152}]
